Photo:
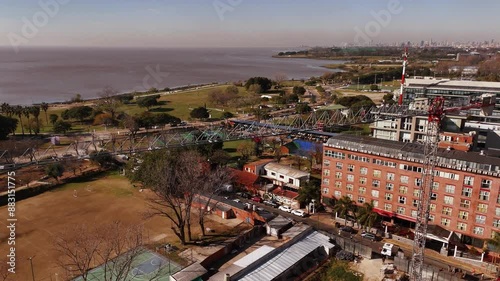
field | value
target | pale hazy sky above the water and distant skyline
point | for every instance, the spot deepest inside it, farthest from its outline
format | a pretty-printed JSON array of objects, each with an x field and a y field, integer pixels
[{"x": 244, "y": 23}]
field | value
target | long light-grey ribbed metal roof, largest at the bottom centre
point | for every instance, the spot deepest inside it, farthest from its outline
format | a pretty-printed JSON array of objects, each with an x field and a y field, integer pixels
[{"x": 288, "y": 257}]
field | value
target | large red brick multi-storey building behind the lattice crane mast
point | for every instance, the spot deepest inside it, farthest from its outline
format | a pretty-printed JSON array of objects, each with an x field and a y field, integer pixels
[{"x": 465, "y": 197}]
